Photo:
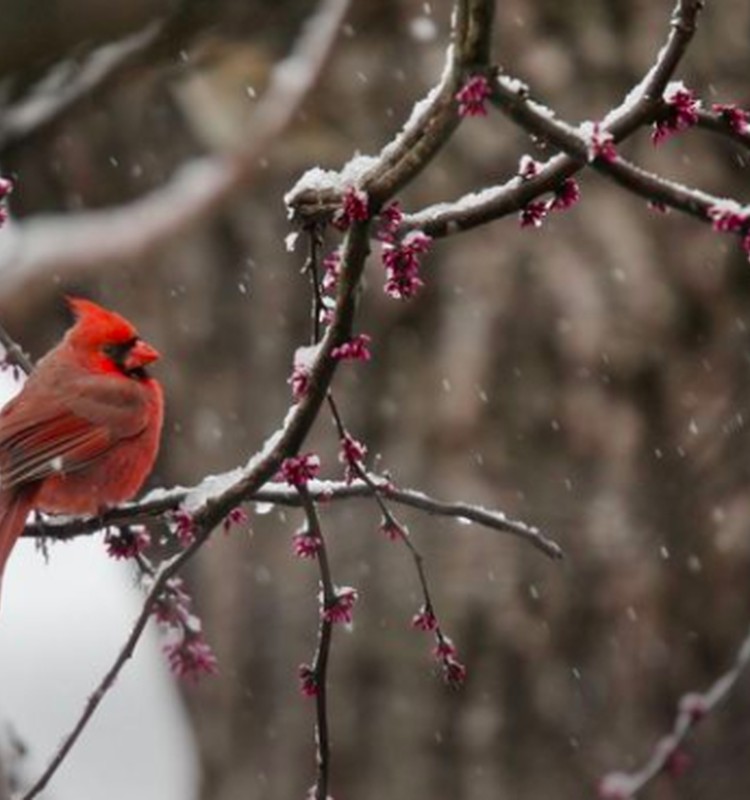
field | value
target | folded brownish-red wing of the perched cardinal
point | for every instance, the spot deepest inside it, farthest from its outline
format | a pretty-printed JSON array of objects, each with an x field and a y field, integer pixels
[{"x": 34, "y": 448}]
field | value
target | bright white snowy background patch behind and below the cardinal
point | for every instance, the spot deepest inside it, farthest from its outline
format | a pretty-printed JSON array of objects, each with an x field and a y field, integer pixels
[{"x": 61, "y": 624}]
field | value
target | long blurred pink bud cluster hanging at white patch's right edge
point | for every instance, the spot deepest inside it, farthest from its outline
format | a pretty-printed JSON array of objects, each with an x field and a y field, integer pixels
[{"x": 188, "y": 653}]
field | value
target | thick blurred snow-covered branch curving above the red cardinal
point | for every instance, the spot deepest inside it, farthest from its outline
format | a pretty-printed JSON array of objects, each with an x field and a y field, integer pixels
[{"x": 76, "y": 243}]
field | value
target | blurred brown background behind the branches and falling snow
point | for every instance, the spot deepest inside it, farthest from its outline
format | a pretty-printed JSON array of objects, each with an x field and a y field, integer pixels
[{"x": 591, "y": 377}]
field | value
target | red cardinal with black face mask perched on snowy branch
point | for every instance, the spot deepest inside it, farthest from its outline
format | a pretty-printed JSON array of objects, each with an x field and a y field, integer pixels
[{"x": 84, "y": 431}]
